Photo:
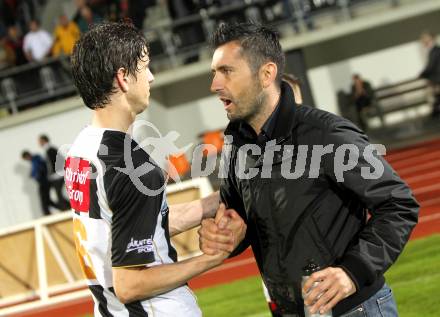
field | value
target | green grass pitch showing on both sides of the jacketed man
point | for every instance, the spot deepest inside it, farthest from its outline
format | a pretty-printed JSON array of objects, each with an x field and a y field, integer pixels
[{"x": 414, "y": 278}]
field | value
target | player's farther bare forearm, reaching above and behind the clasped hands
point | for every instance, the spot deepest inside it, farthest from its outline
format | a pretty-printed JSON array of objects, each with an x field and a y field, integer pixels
[{"x": 183, "y": 217}]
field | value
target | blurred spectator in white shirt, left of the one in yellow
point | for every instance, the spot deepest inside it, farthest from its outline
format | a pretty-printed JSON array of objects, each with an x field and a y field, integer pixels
[{"x": 37, "y": 42}]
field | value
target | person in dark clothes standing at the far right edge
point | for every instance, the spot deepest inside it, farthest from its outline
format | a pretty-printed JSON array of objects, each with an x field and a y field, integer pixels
[{"x": 432, "y": 69}]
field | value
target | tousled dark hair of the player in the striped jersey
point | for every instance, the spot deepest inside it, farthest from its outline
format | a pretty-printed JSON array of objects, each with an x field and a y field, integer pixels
[{"x": 99, "y": 54}]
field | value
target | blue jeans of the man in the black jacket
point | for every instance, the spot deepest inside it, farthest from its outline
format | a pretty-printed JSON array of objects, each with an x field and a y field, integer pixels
[{"x": 381, "y": 304}]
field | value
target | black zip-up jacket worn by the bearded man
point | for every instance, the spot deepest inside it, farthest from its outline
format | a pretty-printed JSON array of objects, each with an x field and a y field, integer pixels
[{"x": 358, "y": 219}]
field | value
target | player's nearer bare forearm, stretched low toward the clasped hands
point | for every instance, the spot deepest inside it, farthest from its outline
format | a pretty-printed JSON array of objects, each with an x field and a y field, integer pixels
[{"x": 133, "y": 284}]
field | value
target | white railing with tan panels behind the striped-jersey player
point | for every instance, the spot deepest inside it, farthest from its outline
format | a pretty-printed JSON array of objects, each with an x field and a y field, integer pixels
[{"x": 50, "y": 256}]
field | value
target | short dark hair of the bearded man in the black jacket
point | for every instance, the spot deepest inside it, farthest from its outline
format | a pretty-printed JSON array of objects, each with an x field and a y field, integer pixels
[{"x": 259, "y": 44}]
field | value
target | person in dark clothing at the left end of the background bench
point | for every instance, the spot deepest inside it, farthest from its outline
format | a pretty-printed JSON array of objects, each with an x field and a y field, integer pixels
[{"x": 362, "y": 95}]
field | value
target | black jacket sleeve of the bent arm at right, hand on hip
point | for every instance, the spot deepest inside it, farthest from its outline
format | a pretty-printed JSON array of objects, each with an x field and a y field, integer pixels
[{"x": 391, "y": 204}]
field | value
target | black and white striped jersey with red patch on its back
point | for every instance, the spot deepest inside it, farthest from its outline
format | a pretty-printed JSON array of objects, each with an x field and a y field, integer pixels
[{"x": 117, "y": 223}]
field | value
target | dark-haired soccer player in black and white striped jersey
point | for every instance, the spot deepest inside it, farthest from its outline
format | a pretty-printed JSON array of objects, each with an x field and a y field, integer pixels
[{"x": 122, "y": 223}]
